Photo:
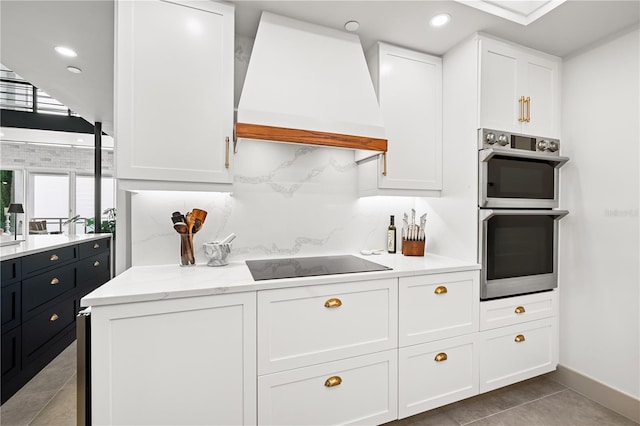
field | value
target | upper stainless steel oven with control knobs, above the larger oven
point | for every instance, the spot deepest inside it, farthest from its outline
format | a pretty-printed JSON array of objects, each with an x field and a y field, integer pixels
[{"x": 518, "y": 171}]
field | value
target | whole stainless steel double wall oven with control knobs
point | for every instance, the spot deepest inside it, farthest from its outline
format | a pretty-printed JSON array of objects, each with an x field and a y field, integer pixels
[{"x": 518, "y": 213}]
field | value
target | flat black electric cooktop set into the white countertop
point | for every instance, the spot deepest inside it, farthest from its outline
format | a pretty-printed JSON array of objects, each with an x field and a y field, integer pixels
[{"x": 271, "y": 269}]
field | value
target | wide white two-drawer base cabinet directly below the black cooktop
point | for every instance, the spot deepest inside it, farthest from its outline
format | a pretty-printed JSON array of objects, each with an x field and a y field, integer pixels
[{"x": 327, "y": 354}]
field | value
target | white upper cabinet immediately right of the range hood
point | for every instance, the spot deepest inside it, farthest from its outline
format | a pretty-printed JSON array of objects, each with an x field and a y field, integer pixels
[{"x": 409, "y": 88}]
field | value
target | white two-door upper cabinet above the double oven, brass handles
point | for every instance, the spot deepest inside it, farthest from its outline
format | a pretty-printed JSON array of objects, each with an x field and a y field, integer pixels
[{"x": 519, "y": 89}]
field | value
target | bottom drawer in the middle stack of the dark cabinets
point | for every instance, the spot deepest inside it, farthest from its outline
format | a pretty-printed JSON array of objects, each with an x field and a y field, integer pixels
[{"x": 44, "y": 327}]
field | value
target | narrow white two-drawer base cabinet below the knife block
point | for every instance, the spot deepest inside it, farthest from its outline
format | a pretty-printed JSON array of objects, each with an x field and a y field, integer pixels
[{"x": 439, "y": 368}]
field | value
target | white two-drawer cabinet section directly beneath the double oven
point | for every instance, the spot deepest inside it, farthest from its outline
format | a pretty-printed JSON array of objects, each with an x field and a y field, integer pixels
[{"x": 520, "y": 339}]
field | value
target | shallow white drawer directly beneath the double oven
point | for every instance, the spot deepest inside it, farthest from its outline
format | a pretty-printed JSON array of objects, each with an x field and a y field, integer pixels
[{"x": 515, "y": 310}]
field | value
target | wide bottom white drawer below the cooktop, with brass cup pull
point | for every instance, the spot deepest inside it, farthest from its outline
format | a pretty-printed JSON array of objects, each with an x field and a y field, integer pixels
[{"x": 366, "y": 393}]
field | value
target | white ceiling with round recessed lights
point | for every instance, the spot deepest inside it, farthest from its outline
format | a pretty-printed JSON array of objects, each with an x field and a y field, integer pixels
[{"x": 30, "y": 29}]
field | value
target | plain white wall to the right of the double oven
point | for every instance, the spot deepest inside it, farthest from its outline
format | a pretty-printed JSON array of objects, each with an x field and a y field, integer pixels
[{"x": 599, "y": 249}]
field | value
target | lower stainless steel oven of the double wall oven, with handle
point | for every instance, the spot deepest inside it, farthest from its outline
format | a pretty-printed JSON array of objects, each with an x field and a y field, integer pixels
[{"x": 519, "y": 251}]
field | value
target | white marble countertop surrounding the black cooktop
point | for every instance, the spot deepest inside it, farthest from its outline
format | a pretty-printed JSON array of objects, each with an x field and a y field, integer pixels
[{"x": 147, "y": 283}]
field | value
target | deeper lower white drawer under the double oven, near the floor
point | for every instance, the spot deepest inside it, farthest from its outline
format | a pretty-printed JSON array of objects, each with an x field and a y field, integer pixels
[{"x": 512, "y": 354}]
